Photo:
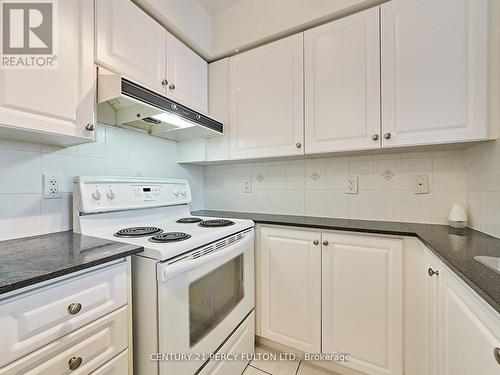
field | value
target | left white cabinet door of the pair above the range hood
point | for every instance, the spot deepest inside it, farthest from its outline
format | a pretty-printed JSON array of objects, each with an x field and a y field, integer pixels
[{"x": 131, "y": 43}]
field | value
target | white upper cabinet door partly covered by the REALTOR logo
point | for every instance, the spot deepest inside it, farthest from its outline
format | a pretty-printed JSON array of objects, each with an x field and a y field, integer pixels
[{"x": 54, "y": 105}]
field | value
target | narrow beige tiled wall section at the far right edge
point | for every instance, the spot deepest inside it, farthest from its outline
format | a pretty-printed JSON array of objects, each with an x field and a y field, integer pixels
[{"x": 483, "y": 186}]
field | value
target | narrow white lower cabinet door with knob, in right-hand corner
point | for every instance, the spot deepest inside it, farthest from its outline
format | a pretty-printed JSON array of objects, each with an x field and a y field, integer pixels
[{"x": 430, "y": 272}]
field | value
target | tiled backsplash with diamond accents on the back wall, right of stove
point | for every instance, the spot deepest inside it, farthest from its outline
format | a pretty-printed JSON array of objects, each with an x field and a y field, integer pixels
[{"x": 287, "y": 186}]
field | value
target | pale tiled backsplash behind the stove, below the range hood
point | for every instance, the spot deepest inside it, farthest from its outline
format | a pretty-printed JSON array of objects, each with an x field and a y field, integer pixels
[{"x": 117, "y": 152}]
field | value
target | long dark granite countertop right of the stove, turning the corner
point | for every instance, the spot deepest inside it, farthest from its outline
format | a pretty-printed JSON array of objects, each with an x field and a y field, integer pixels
[{"x": 456, "y": 248}]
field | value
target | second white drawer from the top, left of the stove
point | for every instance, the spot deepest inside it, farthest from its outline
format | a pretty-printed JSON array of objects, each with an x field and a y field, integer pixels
[{"x": 95, "y": 344}]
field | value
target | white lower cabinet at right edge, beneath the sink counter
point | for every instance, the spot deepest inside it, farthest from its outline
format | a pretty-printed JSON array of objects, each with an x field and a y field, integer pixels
[{"x": 467, "y": 332}]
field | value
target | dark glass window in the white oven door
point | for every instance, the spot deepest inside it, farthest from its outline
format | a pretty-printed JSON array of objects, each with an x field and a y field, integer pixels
[{"x": 213, "y": 297}]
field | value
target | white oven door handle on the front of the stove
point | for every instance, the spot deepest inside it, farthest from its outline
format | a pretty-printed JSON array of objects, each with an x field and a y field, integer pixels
[{"x": 168, "y": 271}]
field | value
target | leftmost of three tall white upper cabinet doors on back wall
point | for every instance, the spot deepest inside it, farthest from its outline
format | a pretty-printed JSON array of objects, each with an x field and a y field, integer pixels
[{"x": 266, "y": 100}]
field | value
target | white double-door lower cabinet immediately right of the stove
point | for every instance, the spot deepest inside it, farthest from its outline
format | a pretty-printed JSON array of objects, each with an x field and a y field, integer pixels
[{"x": 345, "y": 289}]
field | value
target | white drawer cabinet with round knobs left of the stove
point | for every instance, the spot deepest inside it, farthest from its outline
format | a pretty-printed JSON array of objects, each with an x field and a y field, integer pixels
[{"x": 72, "y": 324}]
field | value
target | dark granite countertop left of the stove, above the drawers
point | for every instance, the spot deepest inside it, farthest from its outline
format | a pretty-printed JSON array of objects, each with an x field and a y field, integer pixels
[{"x": 27, "y": 261}]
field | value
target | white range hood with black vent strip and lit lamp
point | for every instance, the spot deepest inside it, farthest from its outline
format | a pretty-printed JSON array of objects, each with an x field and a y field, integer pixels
[{"x": 126, "y": 104}]
